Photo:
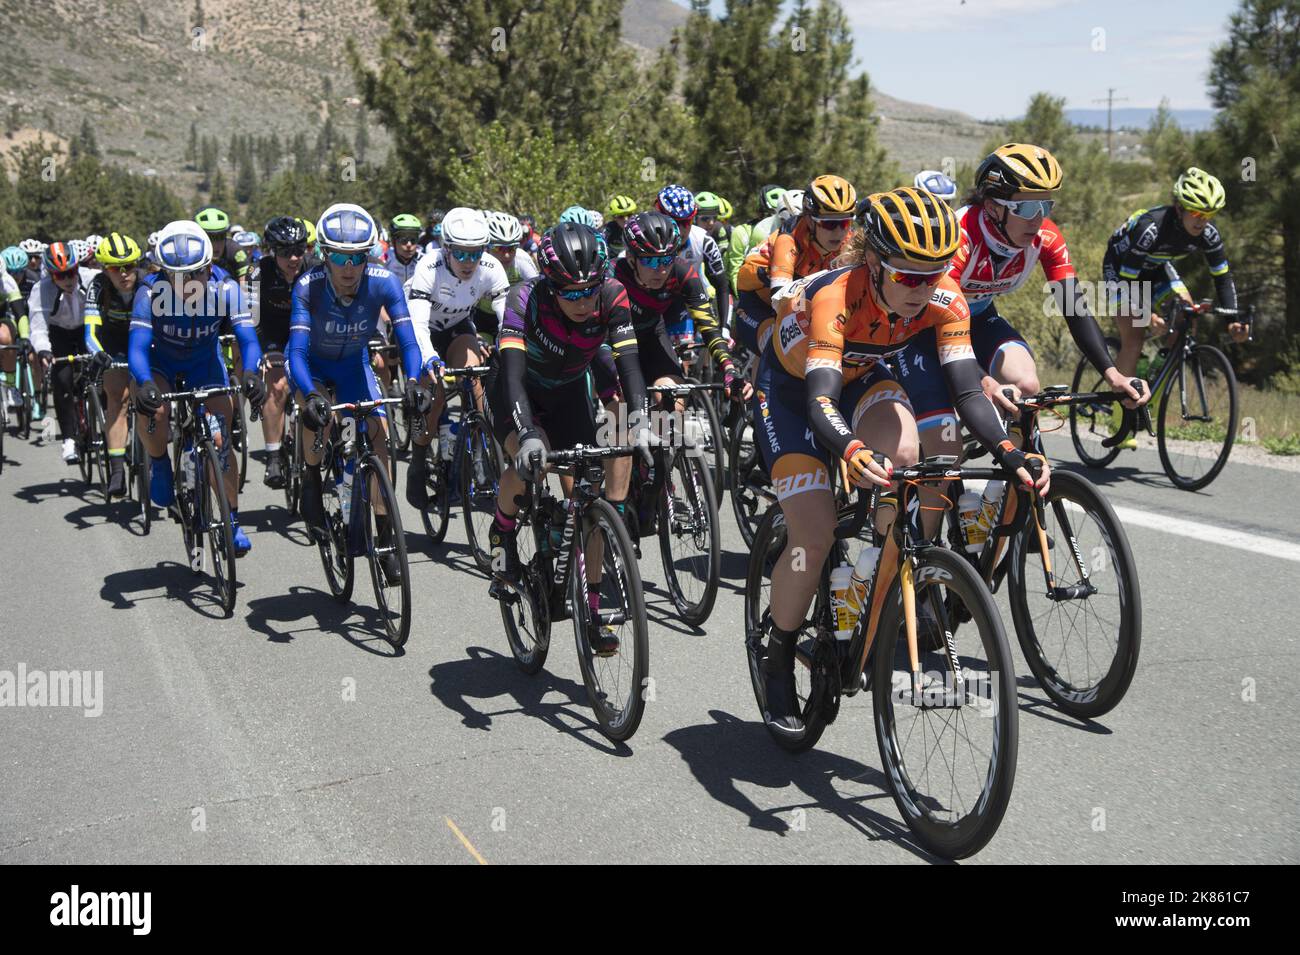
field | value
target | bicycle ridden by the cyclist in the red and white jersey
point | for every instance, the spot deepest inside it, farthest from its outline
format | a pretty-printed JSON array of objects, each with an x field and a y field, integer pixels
[{"x": 1081, "y": 631}]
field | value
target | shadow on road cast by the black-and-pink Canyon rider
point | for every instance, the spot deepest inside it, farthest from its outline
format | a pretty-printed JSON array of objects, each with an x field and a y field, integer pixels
[{"x": 487, "y": 675}]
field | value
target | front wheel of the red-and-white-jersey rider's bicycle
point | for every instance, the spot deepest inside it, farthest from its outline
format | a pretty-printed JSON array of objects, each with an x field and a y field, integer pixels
[{"x": 1091, "y": 700}]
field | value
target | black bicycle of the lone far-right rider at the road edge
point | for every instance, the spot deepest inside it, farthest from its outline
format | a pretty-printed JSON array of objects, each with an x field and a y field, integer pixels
[{"x": 1197, "y": 398}]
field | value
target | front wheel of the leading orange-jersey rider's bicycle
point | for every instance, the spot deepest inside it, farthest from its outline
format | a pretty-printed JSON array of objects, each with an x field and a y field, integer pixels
[{"x": 948, "y": 743}]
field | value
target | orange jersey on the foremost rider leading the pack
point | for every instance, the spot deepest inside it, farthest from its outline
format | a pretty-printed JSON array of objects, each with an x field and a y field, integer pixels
[{"x": 830, "y": 320}]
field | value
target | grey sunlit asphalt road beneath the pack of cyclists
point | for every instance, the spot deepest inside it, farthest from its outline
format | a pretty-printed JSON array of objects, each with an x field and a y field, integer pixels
[{"x": 294, "y": 733}]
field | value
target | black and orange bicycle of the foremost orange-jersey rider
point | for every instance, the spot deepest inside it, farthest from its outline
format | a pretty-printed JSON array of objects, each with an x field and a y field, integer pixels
[{"x": 956, "y": 706}]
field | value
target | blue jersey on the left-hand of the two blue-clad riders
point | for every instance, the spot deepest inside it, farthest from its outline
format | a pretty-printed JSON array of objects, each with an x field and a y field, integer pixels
[{"x": 170, "y": 329}]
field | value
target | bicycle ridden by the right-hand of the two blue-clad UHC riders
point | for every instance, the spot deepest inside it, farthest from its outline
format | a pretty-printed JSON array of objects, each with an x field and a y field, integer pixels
[{"x": 353, "y": 483}]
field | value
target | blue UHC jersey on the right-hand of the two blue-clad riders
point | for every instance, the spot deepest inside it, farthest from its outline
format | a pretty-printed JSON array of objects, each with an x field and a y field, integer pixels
[{"x": 326, "y": 331}]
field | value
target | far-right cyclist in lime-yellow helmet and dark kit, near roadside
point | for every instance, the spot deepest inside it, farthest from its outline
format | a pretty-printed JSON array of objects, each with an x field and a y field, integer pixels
[{"x": 1143, "y": 251}]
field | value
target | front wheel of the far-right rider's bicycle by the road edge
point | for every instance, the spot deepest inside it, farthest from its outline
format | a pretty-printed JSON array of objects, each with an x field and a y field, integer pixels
[{"x": 1198, "y": 419}]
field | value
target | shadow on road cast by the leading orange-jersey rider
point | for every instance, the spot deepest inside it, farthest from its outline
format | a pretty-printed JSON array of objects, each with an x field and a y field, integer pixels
[{"x": 731, "y": 752}]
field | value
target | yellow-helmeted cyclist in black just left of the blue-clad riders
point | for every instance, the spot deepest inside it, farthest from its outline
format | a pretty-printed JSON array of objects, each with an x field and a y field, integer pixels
[{"x": 110, "y": 305}]
